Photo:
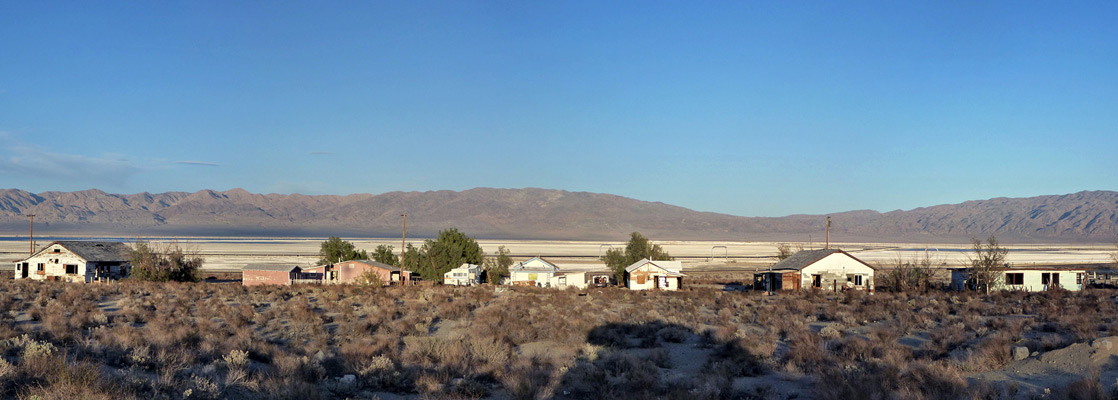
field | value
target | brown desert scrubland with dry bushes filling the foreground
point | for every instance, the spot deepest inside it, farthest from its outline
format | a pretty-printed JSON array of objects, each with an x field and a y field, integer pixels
[{"x": 209, "y": 341}]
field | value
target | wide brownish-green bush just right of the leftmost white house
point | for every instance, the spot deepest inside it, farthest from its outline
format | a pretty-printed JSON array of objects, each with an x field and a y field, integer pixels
[{"x": 156, "y": 263}]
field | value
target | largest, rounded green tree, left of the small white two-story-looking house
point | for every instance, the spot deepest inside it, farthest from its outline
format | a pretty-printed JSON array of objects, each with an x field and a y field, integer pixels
[{"x": 450, "y": 251}]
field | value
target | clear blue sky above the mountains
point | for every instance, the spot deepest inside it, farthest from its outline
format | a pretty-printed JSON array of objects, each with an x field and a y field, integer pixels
[{"x": 752, "y": 109}]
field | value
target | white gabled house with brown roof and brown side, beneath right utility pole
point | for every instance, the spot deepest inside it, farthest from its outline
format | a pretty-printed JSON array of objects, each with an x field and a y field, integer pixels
[{"x": 820, "y": 270}]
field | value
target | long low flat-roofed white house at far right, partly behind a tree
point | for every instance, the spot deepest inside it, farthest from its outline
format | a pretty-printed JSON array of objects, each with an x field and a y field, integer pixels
[{"x": 1026, "y": 279}]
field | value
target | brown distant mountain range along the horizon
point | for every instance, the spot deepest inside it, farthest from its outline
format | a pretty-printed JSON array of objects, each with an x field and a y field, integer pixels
[{"x": 539, "y": 214}]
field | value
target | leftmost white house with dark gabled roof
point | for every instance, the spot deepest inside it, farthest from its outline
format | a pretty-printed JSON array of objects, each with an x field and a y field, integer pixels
[{"x": 78, "y": 261}]
